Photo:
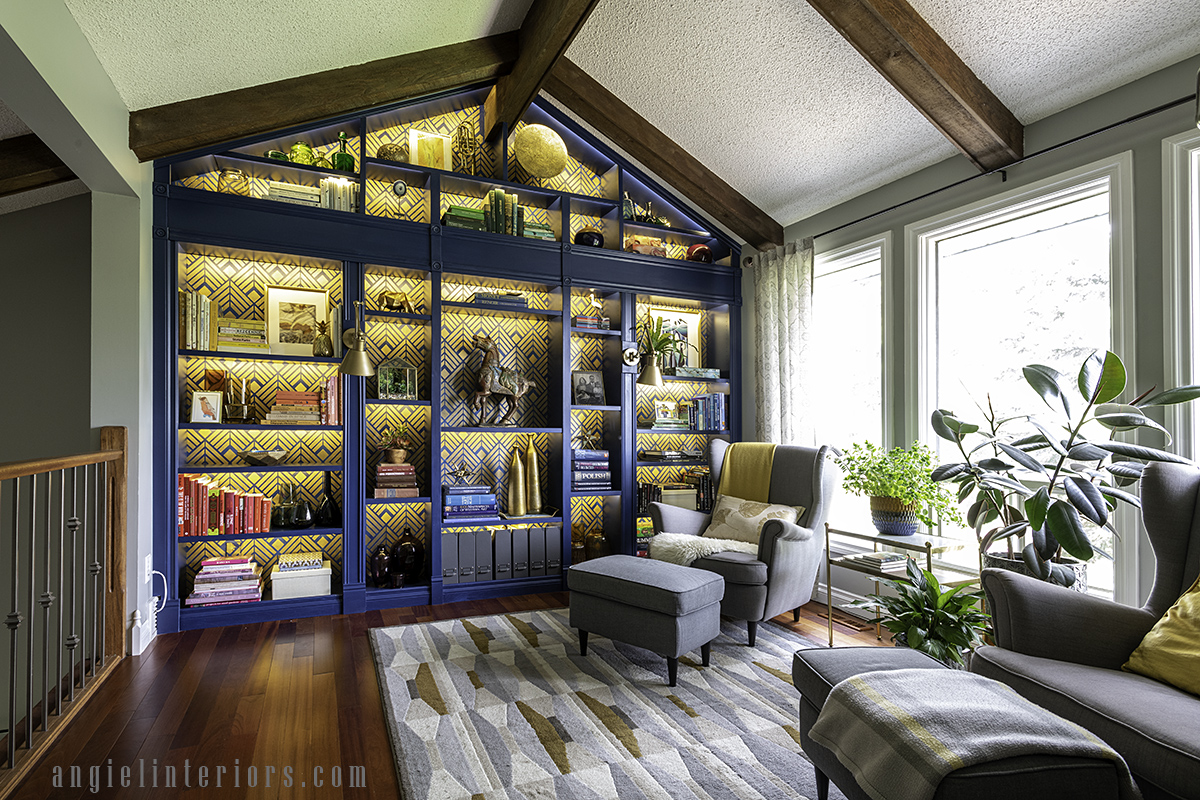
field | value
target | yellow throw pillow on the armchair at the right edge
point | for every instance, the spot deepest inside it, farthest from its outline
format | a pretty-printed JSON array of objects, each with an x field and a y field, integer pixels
[{"x": 1171, "y": 653}]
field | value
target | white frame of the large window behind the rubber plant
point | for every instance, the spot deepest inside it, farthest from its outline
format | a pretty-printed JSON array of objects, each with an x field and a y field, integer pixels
[{"x": 921, "y": 252}]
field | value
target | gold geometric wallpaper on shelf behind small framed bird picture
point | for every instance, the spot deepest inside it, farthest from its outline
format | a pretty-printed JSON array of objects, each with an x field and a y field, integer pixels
[{"x": 265, "y": 380}]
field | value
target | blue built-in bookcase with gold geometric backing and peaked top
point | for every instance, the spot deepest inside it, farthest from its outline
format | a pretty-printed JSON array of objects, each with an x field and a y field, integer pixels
[{"x": 235, "y": 246}]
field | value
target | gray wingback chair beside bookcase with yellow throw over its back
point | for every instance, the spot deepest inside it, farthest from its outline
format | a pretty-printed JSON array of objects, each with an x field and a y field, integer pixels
[{"x": 782, "y": 576}]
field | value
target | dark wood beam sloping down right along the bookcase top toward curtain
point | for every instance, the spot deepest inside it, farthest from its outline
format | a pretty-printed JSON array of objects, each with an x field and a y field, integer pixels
[{"x": 633, "y": 134}]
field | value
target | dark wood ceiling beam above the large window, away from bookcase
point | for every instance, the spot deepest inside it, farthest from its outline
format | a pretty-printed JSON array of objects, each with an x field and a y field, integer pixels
[{"x": 898, "y": 43}]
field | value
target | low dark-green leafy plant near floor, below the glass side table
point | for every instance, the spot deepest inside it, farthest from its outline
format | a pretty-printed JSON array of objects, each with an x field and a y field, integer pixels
[{"x": 945, "y": 624}]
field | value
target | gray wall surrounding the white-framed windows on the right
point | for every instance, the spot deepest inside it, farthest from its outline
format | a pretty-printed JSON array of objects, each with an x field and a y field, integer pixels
[{"x": 1143, "y": 139}]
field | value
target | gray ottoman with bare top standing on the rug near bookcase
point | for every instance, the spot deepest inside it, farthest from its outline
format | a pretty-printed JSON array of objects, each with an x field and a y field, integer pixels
[{"x": 667, "y": 609}]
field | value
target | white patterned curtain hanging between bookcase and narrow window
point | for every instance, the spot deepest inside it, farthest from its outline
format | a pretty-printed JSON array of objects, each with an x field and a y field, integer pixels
[{"x": 783, "y": 302}]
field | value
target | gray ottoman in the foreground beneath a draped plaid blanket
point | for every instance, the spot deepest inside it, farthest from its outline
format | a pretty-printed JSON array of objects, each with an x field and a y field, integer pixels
[{"x": 815, "y": 673}]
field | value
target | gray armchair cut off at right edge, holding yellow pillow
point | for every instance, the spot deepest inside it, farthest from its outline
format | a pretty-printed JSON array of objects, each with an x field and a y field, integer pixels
[{"x": 1064, "y": 651}]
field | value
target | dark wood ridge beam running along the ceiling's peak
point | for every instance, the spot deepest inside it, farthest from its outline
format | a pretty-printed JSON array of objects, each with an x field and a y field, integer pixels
[{"x": 548, "y": 31}]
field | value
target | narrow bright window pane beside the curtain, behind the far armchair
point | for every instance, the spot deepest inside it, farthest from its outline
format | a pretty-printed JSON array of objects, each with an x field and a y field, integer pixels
[{"x": 848, "y": 317}]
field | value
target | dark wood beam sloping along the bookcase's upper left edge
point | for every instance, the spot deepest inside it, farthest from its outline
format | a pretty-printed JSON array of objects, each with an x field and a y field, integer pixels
[{"x": 206, "y": 122}]
